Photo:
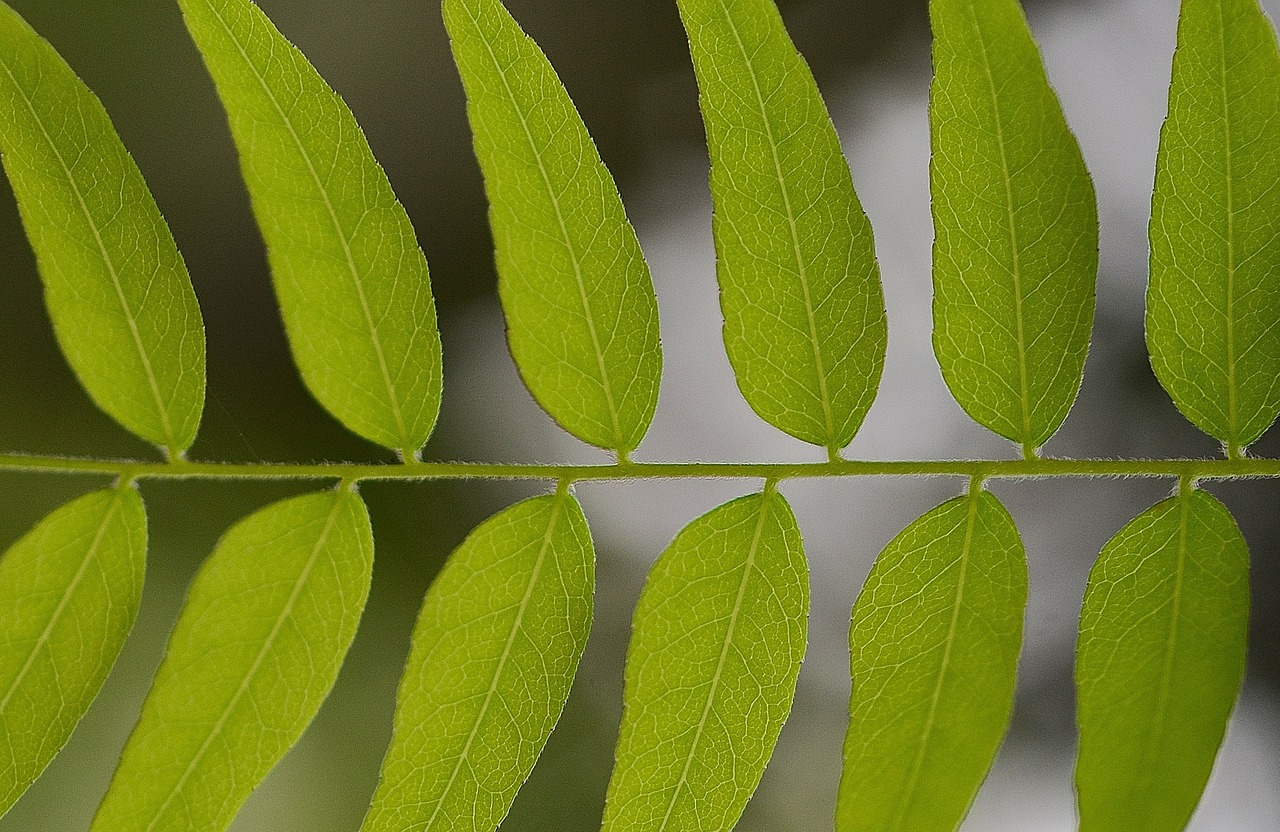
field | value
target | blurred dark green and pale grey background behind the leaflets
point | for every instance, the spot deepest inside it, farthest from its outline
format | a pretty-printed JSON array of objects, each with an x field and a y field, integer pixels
[{"x": 625, "y": 63}]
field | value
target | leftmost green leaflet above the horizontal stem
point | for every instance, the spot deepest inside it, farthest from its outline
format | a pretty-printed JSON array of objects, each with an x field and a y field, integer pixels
[{"x": 117, "y": 289}]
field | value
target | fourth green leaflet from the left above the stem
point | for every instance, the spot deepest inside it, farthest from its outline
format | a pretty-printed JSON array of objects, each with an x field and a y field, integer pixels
[{"x": 804, "y": 312}]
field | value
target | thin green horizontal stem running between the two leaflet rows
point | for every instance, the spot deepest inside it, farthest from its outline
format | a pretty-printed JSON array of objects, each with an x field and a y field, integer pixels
[{"x": 1246, "y": 468}]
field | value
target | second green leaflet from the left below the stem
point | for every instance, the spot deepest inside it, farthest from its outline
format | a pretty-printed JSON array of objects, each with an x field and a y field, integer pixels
[{"x": 255, "y": 652}]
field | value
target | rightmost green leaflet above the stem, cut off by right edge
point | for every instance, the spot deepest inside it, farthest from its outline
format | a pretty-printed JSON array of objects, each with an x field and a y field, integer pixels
[{"x": 1214, "y": 301}]
